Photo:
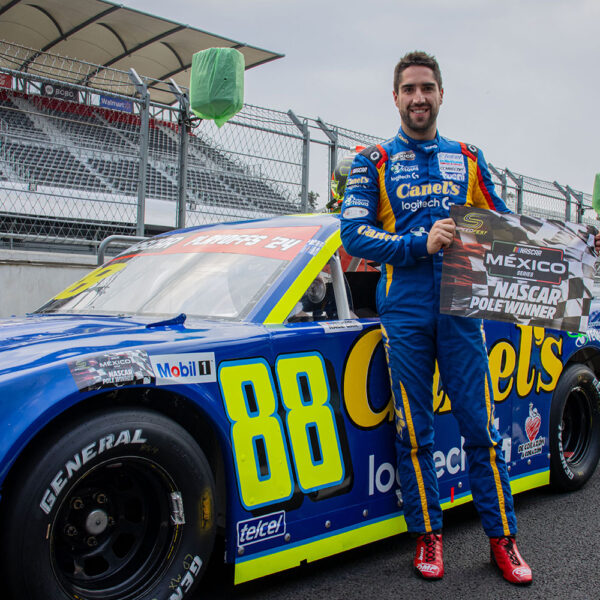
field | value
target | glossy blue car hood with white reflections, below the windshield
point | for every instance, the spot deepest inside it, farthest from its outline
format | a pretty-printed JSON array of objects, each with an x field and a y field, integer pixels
[{"x": 36, "y": 340}]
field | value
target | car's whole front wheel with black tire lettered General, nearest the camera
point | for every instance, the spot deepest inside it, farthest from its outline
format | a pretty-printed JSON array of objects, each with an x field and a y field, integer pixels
[{"x": 107, "y": 529}]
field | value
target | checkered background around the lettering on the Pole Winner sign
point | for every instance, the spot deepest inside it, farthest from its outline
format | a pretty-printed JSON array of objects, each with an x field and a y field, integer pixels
[{"x": 465, "y": 275}]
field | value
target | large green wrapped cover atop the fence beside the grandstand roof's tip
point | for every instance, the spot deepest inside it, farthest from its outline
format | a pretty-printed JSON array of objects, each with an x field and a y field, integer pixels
[{"x": 217, "y": 84}]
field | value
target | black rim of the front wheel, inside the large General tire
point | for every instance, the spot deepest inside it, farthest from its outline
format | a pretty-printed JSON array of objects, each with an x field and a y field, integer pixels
[{"x": 113, "y": 531}]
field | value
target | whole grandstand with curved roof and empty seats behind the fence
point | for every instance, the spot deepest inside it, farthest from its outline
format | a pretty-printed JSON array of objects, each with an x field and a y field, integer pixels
[{"x": 73, "y": 136}]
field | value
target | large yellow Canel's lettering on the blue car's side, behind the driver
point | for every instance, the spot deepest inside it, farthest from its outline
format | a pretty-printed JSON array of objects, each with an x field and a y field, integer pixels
[{"x": 533, "y": 363}]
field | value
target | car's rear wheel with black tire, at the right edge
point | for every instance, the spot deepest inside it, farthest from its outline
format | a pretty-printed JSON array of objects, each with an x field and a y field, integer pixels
[{"x": 574, "y": 428}]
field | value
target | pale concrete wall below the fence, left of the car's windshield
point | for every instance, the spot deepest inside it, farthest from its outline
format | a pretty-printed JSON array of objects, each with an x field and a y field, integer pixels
[{"x": 29, "y": 279}]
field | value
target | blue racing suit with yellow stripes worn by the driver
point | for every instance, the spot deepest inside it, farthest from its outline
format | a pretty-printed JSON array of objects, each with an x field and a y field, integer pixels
[{"x": 394, "y": 193}]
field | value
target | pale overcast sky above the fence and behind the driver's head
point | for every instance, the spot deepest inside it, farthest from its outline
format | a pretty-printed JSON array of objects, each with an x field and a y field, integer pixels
[{"x": 521, "y": 78}]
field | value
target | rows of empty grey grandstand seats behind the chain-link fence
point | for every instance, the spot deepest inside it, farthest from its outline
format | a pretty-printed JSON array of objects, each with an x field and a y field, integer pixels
[{"x": 28, "y": 124}]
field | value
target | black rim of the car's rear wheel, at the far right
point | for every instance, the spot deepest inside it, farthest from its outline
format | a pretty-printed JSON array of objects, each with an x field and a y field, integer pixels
[{"x": 576, "y": 426}]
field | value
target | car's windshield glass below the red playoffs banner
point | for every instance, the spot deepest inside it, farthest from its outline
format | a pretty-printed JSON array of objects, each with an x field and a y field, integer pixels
[{"x": 211, "y": 285}]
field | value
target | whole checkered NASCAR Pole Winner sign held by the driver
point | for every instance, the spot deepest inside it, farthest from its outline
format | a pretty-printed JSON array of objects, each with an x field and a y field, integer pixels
[{"x": 518, "y": 268}]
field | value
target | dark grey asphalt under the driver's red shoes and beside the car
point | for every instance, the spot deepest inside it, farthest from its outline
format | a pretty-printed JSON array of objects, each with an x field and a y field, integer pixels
[{"x": 558, "y": 535}]
